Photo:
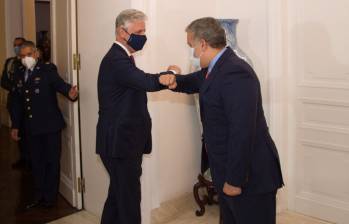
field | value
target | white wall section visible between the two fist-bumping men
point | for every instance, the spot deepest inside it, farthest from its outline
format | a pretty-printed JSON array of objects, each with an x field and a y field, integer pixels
[{"x": 179, "y": 127}]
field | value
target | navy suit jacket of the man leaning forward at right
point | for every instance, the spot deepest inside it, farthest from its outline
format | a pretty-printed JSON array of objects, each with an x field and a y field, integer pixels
[{"x": 240, "y": 149}]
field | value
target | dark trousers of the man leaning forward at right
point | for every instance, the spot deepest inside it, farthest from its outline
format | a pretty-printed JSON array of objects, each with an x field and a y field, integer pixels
[{"x": 248, "y": 209}]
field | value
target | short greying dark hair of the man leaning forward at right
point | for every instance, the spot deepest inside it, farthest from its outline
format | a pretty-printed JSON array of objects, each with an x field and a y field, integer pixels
[{"x": 208, "y": 29}]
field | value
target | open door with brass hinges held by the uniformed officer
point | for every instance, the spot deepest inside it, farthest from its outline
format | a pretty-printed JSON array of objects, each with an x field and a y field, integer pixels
[{"x": 64, "y": 46}]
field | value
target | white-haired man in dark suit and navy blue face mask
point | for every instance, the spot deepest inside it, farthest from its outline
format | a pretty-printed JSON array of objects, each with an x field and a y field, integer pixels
[{"x": 124, "y": 124}]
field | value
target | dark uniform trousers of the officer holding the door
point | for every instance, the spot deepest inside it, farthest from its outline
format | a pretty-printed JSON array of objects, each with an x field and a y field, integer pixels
[{"x": 45, "y": 153}]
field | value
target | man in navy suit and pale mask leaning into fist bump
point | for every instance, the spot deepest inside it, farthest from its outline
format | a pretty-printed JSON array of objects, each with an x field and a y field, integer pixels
[{"x": 243, "y": 158}]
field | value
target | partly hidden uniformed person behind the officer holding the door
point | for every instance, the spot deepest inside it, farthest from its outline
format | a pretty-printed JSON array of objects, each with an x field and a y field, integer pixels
[{"x": 7, "y": 83}]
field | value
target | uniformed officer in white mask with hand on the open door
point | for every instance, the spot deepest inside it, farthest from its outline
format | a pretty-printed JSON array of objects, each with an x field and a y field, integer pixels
[{"x": 35, "y": 101}]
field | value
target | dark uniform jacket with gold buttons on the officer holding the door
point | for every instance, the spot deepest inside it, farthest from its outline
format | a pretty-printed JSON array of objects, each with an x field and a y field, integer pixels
[{"x": 35, "y": 100}]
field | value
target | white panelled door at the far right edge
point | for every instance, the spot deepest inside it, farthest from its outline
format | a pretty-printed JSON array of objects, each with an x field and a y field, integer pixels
[{"x": 318, "y": 62}]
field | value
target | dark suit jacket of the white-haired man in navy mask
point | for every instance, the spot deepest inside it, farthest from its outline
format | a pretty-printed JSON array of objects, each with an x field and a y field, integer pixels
[{"x": 124, "y": 123}]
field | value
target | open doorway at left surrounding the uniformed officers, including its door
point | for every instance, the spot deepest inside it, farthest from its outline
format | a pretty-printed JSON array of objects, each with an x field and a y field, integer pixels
[{"x": 41, "y": 22}]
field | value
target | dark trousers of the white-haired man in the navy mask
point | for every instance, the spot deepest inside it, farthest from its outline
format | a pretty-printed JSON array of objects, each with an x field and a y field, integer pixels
[{"x": 124, "y": 195}]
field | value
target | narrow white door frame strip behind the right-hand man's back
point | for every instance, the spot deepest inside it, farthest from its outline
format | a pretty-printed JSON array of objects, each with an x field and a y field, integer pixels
[{"x": 278, "y": 92}]
